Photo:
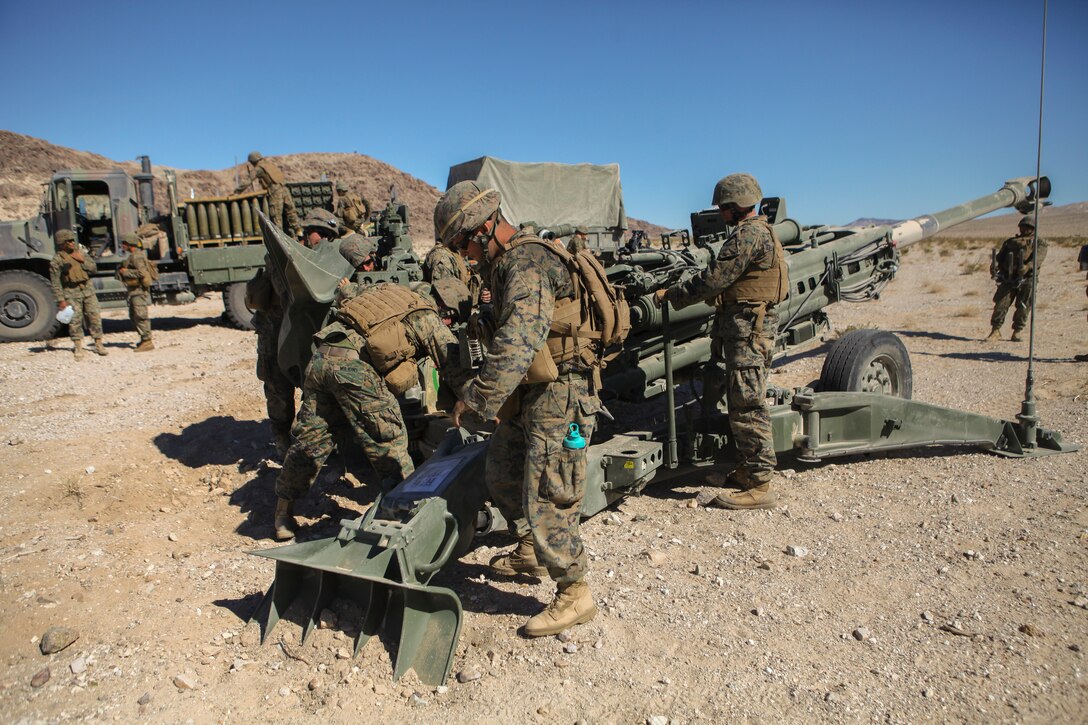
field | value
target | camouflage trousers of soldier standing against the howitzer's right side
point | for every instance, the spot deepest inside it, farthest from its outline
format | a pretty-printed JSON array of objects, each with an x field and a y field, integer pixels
[{"x": 736, "y": 380}]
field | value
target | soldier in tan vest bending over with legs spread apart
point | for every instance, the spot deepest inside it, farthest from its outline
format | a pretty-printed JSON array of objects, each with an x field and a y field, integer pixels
[{"x": 354, "y": 379}]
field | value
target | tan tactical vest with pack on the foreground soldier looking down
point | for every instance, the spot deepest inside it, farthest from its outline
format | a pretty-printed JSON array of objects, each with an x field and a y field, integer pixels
[{"x": 587, "y": 329}]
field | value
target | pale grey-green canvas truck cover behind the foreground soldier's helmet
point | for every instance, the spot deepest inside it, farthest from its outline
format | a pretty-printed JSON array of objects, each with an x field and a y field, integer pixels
[{"x": 577, "y": 194}]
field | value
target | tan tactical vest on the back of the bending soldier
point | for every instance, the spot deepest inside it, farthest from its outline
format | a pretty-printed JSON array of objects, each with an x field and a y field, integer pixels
[{"x": 378, "y": 314}]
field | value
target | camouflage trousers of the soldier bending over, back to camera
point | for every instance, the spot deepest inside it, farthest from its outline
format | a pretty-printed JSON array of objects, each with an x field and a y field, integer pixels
[{"x": 340, "y": 392}]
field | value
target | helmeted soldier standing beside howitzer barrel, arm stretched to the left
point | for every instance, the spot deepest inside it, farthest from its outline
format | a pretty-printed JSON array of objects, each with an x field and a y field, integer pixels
[{"x": 746, "y": 281}]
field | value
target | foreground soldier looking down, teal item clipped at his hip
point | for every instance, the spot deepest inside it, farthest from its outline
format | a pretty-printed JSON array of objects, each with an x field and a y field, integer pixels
[{"x": 537, "y": 483}]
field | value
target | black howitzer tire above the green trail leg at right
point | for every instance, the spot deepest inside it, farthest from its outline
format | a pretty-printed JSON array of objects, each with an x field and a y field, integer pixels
[{"x": 869, "y": 362}]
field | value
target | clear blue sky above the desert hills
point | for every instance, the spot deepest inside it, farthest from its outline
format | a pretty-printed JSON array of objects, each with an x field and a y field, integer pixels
[{"x": 847, "y": 109}]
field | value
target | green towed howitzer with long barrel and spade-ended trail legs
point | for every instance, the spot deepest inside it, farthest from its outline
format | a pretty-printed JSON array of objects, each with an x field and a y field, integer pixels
[{"x": 384, "y": 563}]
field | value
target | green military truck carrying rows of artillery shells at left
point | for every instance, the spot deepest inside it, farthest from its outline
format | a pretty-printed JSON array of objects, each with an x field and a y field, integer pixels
[{"x": 209, "y": 244}]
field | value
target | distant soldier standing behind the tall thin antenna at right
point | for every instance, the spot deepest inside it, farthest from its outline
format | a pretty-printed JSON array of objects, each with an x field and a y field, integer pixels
[{"x": 1012, "y": 268}]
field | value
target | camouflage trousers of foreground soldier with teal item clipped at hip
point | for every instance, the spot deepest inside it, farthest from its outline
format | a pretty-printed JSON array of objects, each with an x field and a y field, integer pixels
[{"x": 535, "y": 482}]
